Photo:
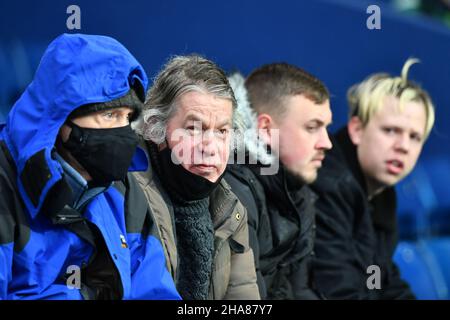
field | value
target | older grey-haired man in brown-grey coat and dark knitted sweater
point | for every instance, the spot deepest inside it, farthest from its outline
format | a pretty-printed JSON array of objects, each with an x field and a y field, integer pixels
[{"x": 186, "y": 129}]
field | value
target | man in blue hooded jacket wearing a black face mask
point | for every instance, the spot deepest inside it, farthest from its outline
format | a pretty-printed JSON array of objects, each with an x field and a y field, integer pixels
[{"x": 73, "y": 223}]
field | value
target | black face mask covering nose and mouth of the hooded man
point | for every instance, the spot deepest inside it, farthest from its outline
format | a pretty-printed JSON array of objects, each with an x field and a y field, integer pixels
[{"x": 106, "y": 154}]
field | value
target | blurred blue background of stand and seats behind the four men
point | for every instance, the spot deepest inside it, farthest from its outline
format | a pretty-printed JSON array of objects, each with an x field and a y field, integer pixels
[{"x": 329, "y": 38}]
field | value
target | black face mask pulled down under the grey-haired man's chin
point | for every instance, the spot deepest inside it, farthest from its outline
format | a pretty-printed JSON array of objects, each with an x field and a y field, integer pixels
[{"x": 185, "y": 184}]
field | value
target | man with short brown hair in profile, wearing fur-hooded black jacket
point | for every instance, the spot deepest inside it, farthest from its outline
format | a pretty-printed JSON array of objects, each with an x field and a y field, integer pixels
[{"x": 290, "y": 109}]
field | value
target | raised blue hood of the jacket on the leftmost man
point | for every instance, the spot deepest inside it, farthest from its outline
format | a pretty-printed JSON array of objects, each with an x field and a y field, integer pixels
[{"x": 75, "y": 70}]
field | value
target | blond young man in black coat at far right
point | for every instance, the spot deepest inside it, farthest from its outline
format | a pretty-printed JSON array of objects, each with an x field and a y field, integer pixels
[{"x": 356, "y": 235}]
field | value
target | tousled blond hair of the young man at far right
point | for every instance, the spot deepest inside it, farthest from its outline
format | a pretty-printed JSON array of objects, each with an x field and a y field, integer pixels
[{"x": 366, "y": 98}]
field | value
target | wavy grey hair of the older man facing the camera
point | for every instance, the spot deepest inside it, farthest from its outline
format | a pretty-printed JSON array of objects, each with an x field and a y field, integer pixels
[{"x": 180, "y": 75}]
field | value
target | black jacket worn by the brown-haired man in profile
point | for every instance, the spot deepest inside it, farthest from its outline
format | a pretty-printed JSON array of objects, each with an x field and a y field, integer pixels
[{"x": 281, "y": 229}]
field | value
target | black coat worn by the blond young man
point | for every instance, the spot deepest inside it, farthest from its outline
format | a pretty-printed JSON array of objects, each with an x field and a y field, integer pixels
[{"x": 355, "y": 237}]
